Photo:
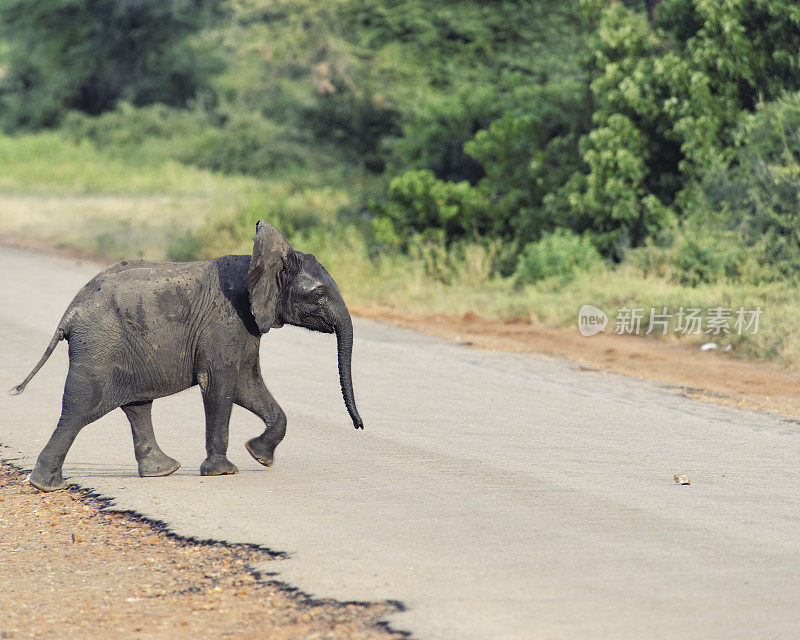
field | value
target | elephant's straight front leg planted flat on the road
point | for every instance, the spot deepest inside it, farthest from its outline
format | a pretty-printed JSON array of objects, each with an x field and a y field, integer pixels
[{"x": 218, "y": 390}]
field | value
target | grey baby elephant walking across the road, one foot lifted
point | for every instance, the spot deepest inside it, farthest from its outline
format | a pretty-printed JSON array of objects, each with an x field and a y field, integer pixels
[{"x": 143, "y": 330}]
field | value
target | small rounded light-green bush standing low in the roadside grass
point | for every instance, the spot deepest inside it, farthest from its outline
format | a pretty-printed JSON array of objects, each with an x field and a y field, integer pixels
[{"x": 560, "y": 255}]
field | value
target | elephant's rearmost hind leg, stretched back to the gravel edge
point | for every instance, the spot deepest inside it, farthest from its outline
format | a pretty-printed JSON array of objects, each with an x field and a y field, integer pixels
[{"x": 84, "y": 402}]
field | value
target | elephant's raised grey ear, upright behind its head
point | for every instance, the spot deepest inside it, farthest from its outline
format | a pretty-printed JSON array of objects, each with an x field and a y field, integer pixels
[{"x": 270, "y": 250}]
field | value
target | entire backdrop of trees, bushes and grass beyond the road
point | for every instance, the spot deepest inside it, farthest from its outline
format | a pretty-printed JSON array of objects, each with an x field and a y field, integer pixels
[{"x": 513, "y": 159}]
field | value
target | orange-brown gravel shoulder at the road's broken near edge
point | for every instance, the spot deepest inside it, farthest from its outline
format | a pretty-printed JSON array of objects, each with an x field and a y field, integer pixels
[{"x": 72, "y": 568}]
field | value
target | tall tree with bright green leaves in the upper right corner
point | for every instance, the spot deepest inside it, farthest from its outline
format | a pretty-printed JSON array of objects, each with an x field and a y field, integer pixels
[{"x": 668, "y": 97}]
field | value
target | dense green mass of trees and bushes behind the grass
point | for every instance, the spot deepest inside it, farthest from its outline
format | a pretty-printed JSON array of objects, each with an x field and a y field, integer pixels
[{"x": 537, "y": 128}]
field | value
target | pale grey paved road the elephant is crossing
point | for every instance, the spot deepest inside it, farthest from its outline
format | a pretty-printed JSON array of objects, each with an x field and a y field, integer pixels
[{"x": 496, "y": 495}]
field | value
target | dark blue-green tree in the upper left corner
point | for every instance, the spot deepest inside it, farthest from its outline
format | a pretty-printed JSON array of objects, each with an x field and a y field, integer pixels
[{"x": 88, "y": 54}]
